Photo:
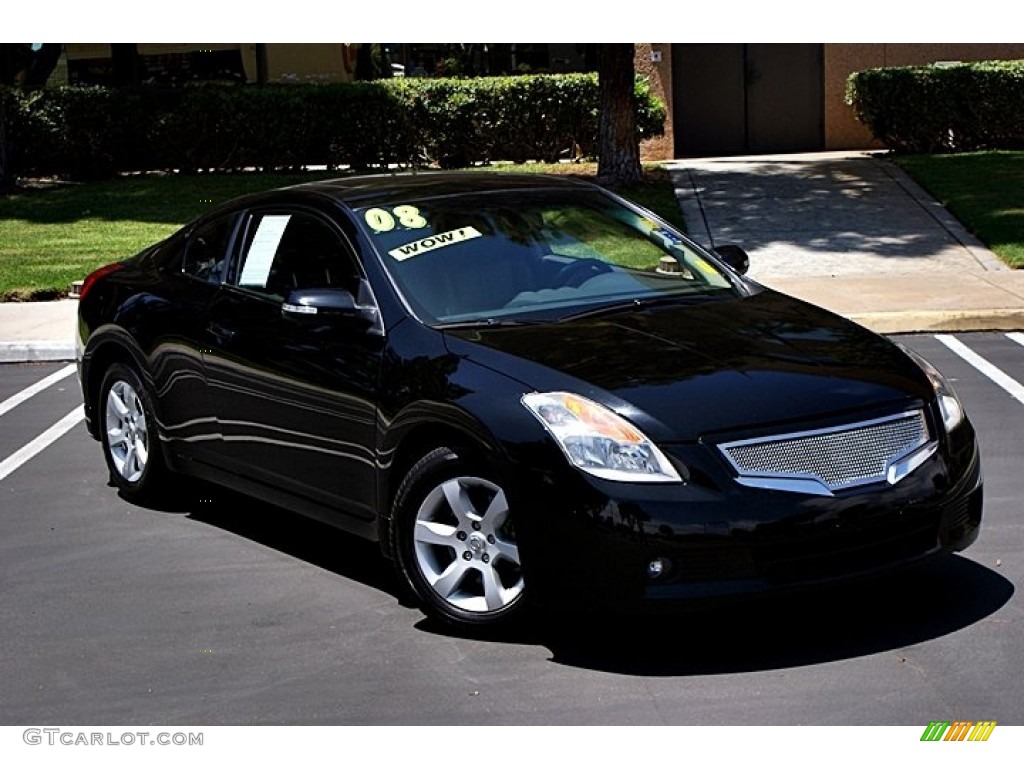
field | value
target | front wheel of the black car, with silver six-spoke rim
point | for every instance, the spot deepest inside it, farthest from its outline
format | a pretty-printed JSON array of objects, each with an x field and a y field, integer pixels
[{"x": 455, "y": 542}]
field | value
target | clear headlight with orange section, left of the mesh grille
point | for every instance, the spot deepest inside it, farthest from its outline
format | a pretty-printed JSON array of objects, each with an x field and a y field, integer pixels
[{"x": 599, "y": 441}]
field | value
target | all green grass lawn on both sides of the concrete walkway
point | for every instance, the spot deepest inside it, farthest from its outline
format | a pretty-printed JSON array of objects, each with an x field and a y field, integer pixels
[{"x": 54, "y": 234}]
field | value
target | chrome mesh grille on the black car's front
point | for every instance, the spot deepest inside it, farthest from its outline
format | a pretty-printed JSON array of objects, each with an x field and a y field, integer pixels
[{"x": 837, "y": 458}]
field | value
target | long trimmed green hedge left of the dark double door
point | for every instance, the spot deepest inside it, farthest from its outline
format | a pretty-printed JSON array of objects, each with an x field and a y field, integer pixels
[{"x": 91, "y": 133}]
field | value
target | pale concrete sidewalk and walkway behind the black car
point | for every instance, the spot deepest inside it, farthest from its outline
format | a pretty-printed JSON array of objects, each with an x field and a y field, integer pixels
[{"x": 847, "y": 231}]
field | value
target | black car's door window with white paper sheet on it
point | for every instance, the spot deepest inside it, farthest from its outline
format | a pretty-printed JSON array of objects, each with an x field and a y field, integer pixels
[{"x": 288, "y": 251}]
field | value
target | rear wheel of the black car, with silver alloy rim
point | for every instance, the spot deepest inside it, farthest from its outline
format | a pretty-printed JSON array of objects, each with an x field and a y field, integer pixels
[{"x": 129, "y": 434}]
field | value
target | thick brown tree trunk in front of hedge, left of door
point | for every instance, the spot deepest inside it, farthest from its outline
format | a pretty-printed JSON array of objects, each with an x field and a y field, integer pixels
[{"x": 618, "y": 147}]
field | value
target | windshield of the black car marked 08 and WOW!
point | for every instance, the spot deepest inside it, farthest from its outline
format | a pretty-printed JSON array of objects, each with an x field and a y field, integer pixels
[{"x": 533, "y": 257}]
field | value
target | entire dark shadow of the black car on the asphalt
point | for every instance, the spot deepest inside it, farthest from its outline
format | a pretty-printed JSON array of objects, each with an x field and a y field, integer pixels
[{"x": 930, "y": 602}]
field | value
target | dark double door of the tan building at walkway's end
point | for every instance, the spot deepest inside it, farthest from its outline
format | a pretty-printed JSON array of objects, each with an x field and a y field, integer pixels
[{"x": 734, "y": 99}]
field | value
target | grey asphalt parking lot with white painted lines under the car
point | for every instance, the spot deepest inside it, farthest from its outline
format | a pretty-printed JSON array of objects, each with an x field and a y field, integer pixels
[{"x": 221, "y": 610}]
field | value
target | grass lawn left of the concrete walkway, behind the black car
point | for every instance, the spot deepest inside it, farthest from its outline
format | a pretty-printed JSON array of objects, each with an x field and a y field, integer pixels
[{"x": 54, "y": 234}]
